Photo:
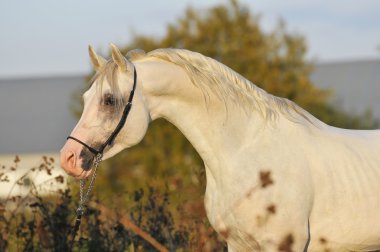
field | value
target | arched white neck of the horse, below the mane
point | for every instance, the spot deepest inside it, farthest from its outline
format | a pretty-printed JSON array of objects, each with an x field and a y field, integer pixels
[{"x": 214, "y": 128}]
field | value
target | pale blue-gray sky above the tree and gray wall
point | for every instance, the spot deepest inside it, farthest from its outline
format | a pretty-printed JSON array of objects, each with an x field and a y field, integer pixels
[{"x": 48, "y": 38}]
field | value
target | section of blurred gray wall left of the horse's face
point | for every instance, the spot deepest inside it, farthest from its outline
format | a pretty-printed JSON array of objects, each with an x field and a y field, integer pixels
[{"x": 34, "y": 113}]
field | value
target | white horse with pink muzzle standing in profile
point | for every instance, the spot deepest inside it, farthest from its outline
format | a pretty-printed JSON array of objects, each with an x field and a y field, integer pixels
[{"x": 277, "y": 177}]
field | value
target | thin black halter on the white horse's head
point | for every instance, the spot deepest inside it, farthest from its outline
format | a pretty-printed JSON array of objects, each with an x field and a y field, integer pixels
[{"x": 119, "y": 126}]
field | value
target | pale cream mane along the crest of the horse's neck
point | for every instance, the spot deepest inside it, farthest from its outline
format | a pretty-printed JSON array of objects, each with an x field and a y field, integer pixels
[{"x": 210, "y": 75}]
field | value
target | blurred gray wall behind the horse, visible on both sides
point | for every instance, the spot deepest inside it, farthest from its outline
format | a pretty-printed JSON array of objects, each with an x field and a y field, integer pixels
[{"x": 35, "y": 115}]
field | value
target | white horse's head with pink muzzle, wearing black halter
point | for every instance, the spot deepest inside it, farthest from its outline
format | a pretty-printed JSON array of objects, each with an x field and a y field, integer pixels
[{"x": 109, "y": 123}]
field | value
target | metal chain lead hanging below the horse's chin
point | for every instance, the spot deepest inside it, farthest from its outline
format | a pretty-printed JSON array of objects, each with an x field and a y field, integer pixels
[{"x": 84, "y": 198}]
